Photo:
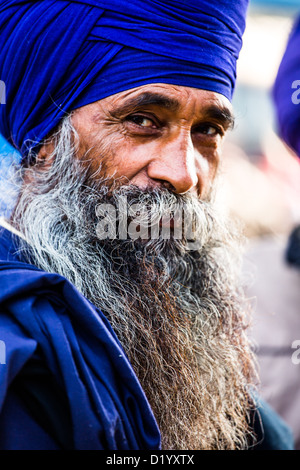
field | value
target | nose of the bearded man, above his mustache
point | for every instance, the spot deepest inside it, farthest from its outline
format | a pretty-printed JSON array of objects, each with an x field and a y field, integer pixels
[{"x": 175, "y": 164}]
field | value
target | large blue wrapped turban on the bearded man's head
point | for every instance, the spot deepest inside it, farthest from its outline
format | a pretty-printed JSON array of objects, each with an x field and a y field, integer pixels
[{"x": 57, "y": 56}]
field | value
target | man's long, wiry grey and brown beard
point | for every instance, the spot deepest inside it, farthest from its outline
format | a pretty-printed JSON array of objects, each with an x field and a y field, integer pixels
[{"x": 178, "y": 313}]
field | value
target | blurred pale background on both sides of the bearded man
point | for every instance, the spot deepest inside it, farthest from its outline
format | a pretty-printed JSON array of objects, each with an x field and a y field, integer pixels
[{"x": 261, "y": 189}]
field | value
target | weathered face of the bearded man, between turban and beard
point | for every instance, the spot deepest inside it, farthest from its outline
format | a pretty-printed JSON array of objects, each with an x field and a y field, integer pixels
[{"x": 156, "y": 135}]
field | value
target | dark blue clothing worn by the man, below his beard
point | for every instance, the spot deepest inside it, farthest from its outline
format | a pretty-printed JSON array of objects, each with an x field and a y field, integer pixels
[{"x": 66, "y": 383}]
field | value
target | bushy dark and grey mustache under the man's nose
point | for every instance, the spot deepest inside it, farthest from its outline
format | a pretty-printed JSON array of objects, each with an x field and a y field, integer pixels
[{"x": 130, "y": 213}]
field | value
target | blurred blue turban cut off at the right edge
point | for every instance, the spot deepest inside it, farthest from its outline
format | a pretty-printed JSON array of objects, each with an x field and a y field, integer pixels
[{"x": 286, "y": 92}]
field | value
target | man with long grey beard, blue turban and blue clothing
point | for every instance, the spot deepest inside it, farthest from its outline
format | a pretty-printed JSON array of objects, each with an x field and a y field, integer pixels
[{"x": 123, "y": 322}]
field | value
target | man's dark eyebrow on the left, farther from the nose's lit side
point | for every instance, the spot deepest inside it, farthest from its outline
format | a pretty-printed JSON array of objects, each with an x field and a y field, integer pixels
[{"x": 145, "y": 99}]
